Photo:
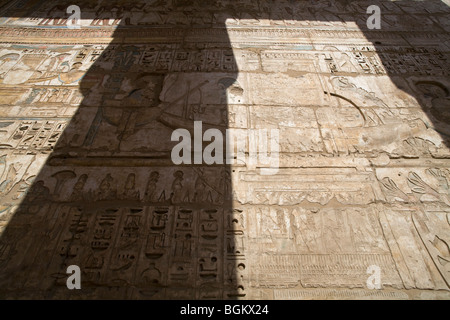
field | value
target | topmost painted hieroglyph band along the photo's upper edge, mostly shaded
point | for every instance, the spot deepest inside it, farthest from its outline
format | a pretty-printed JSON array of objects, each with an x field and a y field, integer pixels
[{"x": 255, "y": 13}]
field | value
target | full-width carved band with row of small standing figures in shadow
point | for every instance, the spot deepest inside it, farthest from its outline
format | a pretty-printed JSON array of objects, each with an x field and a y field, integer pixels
[{"x": 174, "y": 185}]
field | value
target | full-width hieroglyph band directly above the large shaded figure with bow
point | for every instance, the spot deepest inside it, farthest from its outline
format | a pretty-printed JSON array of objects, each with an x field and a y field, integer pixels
[{"x": 64, "y": 65}]
